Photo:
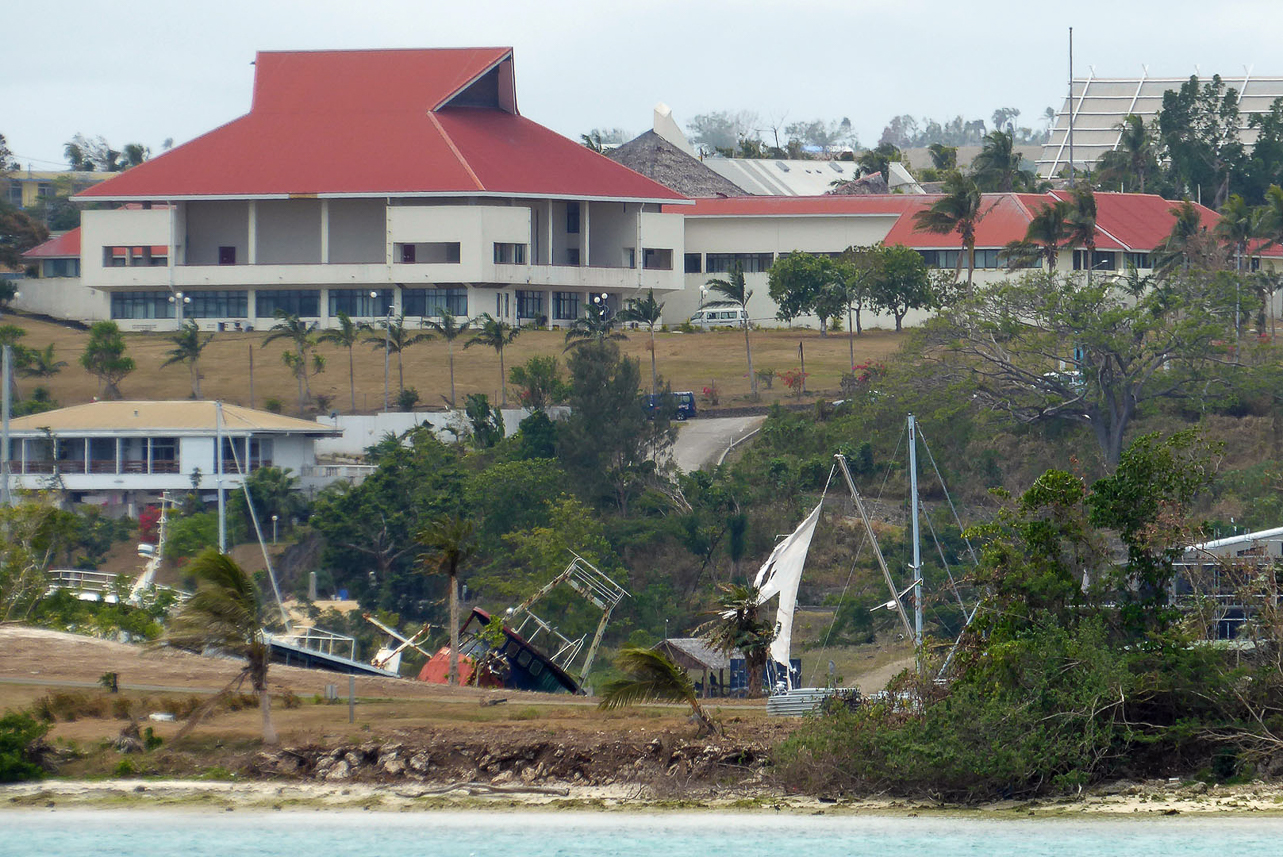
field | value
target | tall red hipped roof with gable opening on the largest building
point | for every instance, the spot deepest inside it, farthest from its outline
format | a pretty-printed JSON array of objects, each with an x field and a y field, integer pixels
[{"x": 378, "y": 123}]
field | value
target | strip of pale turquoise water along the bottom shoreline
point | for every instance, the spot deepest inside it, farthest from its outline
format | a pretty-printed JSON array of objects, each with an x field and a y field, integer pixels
[{"x": 90, "y": 833}]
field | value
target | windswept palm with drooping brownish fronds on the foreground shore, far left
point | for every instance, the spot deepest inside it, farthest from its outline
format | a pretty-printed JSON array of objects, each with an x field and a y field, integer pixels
[{"x": 225, "y": 615}]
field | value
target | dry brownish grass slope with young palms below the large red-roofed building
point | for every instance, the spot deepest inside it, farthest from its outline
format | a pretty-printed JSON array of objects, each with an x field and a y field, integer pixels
[{"x": 688, "y": 361}]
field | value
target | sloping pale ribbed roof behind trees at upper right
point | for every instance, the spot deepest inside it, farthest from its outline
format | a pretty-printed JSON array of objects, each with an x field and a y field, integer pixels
[{"x": 1100, "y": 105}]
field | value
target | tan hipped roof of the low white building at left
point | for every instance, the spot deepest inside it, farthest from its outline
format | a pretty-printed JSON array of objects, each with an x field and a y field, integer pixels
[{"x": 182, "y": 416}]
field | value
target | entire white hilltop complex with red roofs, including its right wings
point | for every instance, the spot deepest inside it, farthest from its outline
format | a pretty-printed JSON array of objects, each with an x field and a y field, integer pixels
[{"x": 406, "y": 183}]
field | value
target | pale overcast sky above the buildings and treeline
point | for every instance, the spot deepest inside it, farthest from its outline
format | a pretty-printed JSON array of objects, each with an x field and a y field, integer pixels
[{"x": 148, "y": 70}]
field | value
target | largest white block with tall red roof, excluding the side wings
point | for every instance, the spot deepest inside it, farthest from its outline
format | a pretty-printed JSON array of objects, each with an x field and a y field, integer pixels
[{"x": 371, "y": 183}]
